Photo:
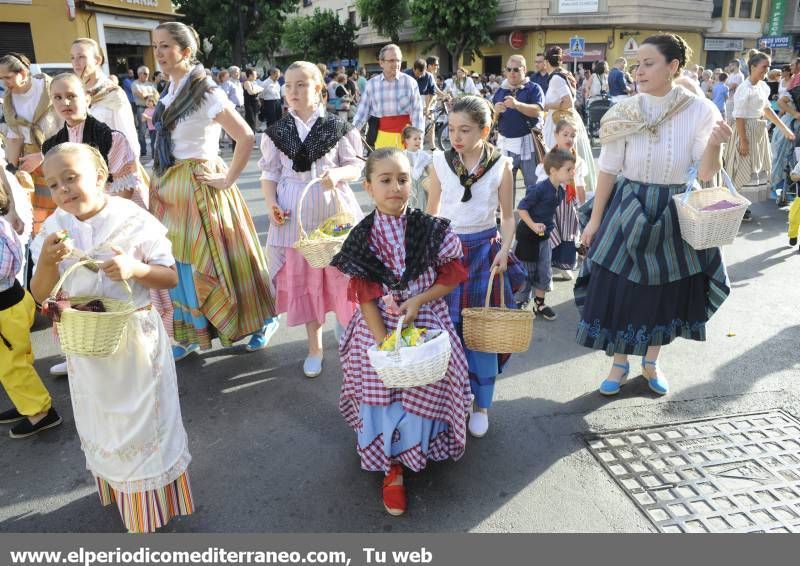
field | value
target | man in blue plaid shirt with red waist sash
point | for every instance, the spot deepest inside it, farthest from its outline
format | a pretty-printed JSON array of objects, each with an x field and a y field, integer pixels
[{"x": 391, "y": 101}]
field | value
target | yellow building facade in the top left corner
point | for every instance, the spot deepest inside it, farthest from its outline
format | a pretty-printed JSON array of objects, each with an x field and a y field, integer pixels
[{"x": 44, "y": 29}]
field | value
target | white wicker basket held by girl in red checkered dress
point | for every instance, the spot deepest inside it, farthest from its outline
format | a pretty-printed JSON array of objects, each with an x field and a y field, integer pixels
[{"x": 412, "y": 367}]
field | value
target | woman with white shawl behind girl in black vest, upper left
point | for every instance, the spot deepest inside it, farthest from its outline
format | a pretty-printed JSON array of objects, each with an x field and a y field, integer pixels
[{"x": 109, "y": 103}]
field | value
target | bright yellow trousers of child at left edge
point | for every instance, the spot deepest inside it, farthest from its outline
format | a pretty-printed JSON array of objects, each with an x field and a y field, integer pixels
[{"x": 19, "y": 378}]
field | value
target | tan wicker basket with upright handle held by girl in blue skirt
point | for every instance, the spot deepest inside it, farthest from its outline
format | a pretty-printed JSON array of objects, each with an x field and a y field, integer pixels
[{"x": 497, "y": 329}]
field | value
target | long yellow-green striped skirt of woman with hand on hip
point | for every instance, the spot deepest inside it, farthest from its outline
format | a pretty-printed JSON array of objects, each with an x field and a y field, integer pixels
[{"x": 224, "y": 289}]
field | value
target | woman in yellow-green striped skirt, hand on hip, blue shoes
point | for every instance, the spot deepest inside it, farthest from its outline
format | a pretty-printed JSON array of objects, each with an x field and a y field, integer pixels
[{"x": 223, "y": 288}]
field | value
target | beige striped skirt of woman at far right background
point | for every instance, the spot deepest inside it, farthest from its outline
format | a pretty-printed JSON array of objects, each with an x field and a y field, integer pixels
[{"x": 756, "y": 168}]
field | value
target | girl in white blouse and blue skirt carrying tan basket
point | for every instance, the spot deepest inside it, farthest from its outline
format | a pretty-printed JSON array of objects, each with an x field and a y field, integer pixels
[{"x": 468, "y": 184}]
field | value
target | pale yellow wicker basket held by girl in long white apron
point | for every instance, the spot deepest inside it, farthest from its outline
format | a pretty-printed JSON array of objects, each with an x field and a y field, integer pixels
[{"x": 92, "y": 334}]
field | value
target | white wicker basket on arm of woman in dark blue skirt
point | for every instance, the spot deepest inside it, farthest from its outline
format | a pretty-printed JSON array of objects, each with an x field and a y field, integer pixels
[{"x": 703, "y": 229}]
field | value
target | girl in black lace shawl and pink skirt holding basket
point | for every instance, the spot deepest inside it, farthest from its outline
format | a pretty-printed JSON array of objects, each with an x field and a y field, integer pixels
[{"x": 308, "y": 157}]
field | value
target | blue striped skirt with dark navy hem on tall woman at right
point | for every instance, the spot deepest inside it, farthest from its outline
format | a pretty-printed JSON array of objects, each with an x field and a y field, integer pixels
[{"x": 641, "y": 285}]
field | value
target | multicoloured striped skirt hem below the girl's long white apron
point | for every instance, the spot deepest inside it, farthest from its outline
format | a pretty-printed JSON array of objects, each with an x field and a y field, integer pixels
[{"x": 144, "y": 512}]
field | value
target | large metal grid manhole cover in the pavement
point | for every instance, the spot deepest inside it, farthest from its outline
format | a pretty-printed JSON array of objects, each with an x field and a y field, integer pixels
[{"x": 738, "y": 473}]
